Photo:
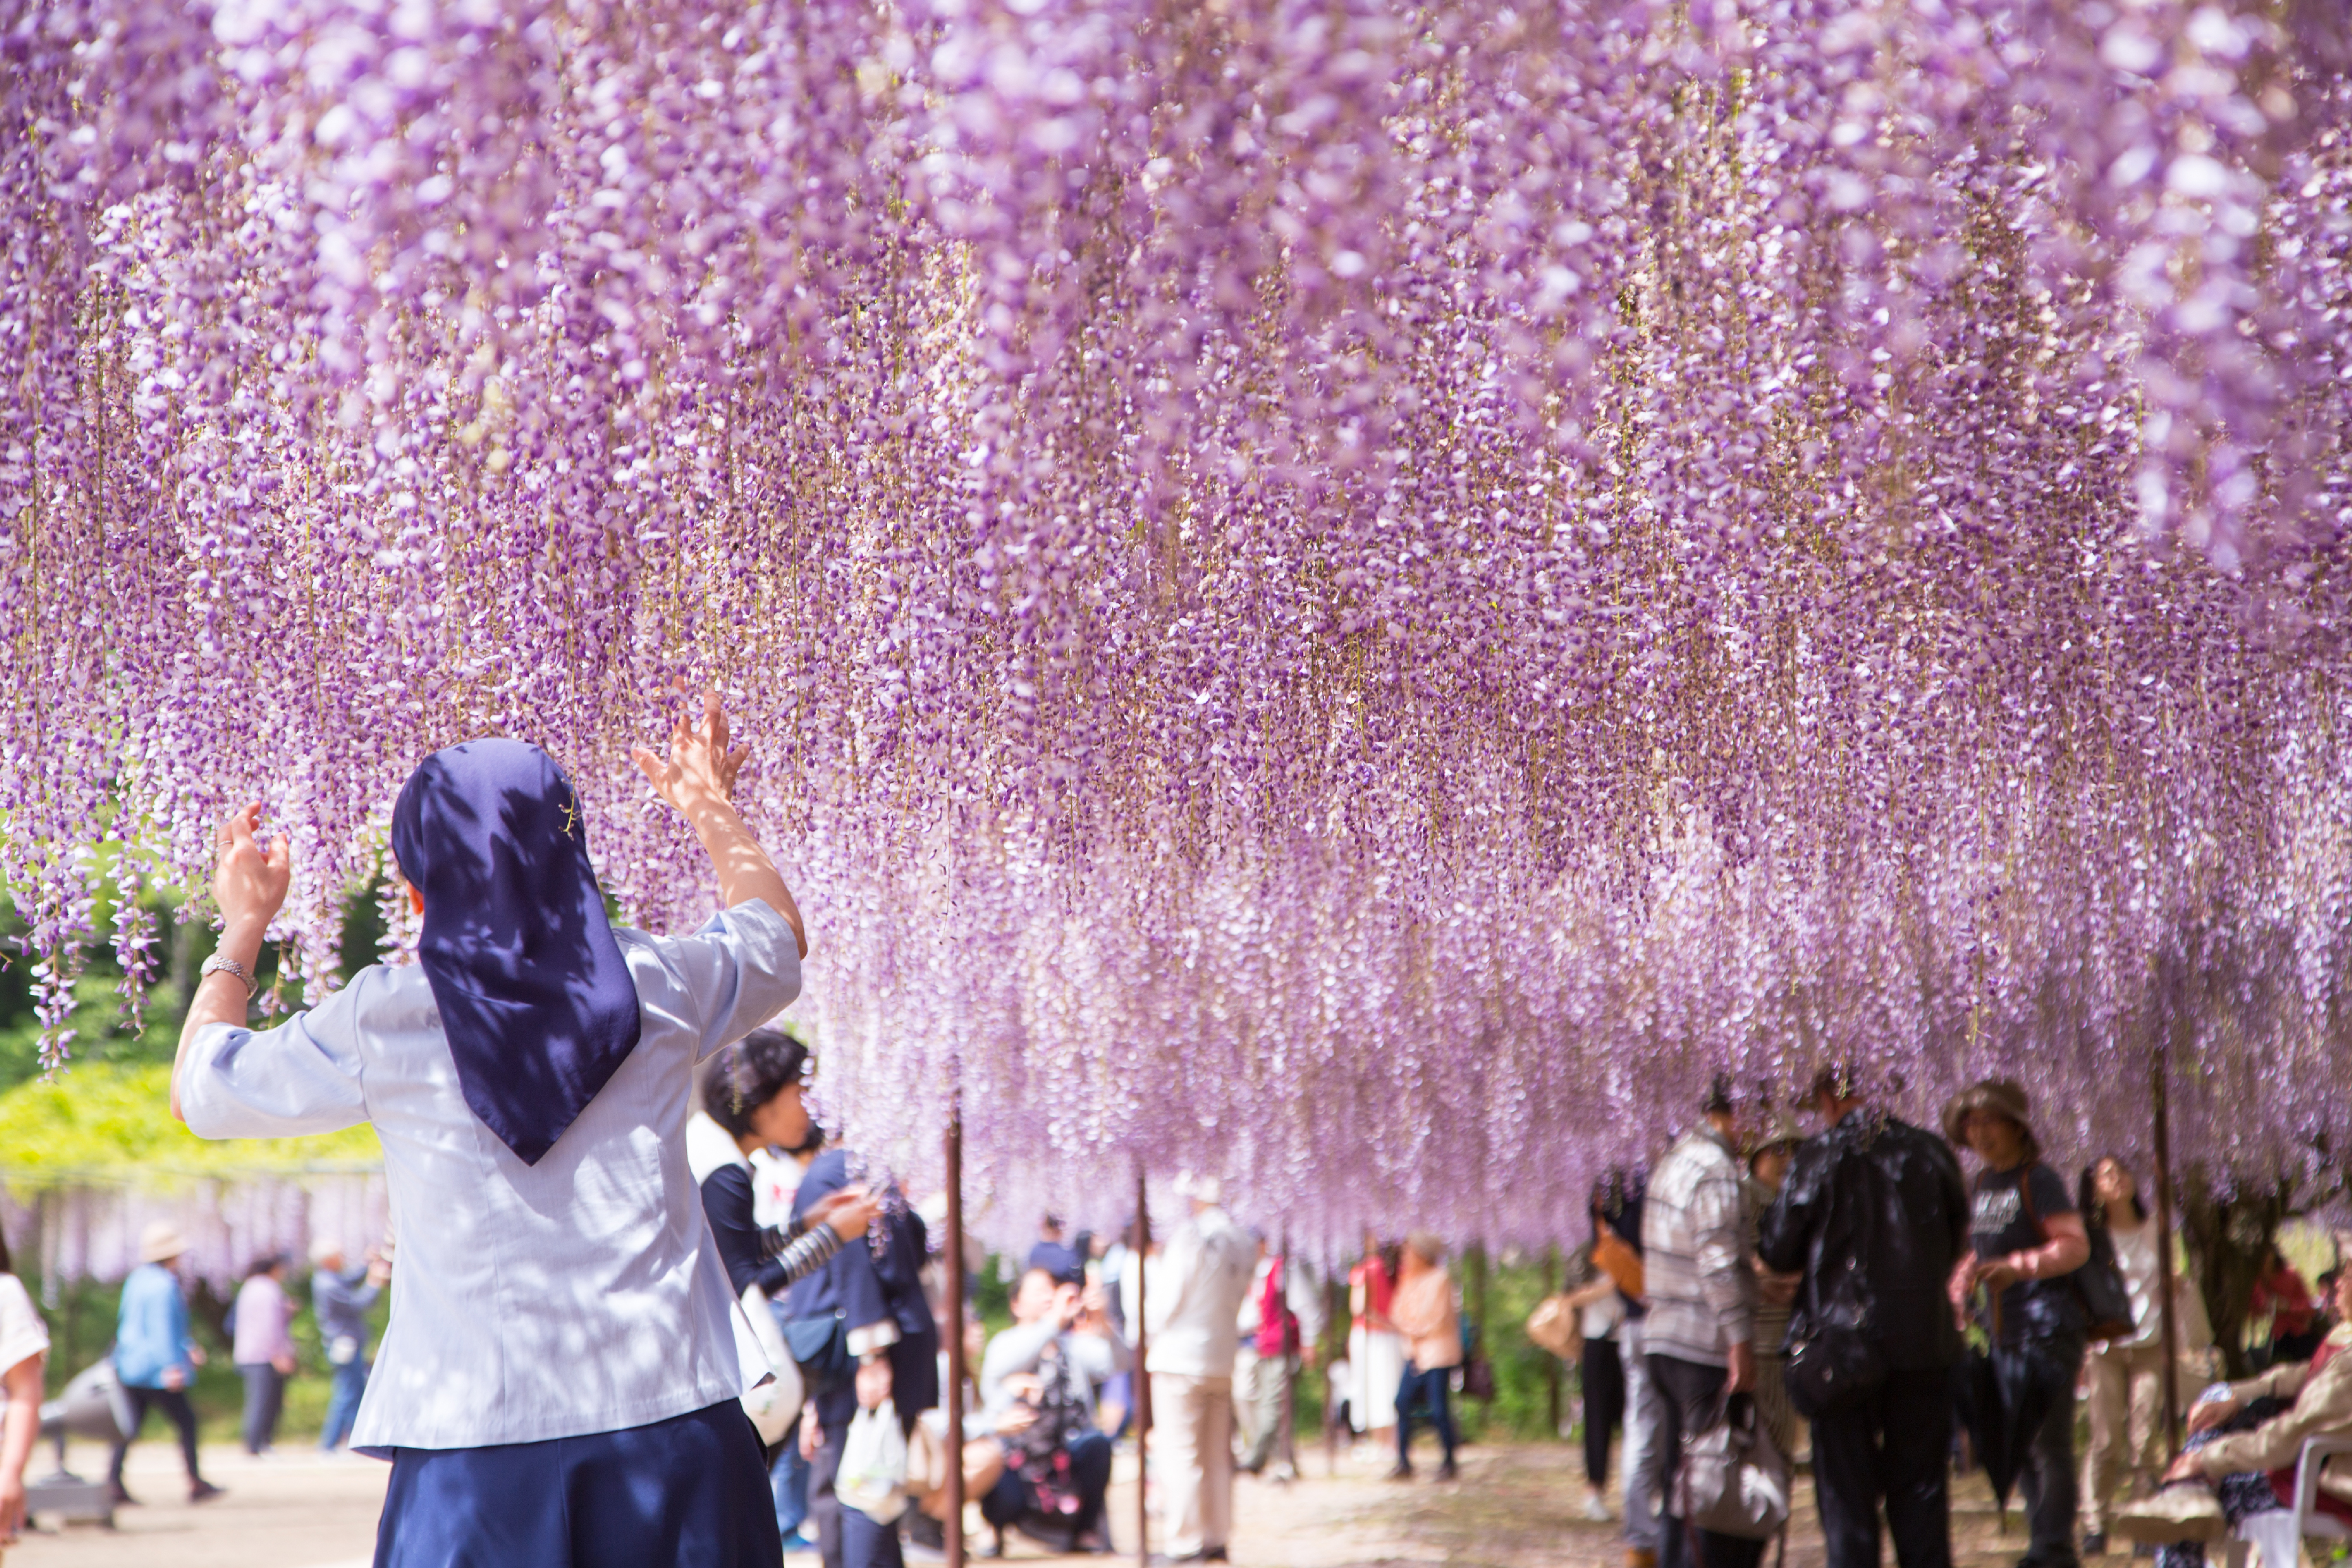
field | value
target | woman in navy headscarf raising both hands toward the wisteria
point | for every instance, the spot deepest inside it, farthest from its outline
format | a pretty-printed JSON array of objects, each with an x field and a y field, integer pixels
[{"x": 561, "y": 1379}]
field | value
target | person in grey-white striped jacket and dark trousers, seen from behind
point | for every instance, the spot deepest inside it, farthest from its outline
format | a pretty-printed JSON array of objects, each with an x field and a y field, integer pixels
[{"x": 1702, "y": 1311}]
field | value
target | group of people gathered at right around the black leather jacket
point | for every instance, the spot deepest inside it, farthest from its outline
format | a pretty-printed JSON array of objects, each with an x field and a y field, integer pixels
[{"x": 1855, "y": 1296}]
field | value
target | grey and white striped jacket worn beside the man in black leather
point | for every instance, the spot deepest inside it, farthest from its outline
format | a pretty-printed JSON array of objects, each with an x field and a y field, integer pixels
[{"x": 1695, "y": 1254}]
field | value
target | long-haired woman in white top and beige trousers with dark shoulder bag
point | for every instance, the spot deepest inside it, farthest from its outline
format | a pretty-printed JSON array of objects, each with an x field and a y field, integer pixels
[{"x": 2127, "y": 1374}]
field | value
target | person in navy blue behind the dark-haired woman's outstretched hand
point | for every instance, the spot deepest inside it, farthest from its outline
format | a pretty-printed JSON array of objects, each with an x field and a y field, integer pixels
[{"x": 876, "y": 1292}]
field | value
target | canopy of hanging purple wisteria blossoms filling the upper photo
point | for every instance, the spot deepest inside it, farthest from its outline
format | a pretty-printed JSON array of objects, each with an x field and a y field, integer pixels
[{"x": 1356, "y": 594}]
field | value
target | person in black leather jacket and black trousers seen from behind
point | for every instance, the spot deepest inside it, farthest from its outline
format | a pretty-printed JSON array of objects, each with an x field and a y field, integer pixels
[{"x": 1876, "y": 1217}]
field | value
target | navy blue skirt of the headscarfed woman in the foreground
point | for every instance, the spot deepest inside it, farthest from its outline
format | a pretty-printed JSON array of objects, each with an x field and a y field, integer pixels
[{"x": 679, "y": 1494}]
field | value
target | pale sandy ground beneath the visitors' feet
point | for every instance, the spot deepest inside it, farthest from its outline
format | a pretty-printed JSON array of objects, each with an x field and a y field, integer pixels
[{"x": 1514, "y": 1508}]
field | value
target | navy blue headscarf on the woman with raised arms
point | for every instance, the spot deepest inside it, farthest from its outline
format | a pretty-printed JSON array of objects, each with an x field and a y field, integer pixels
[{"x": 530, "y": 984}]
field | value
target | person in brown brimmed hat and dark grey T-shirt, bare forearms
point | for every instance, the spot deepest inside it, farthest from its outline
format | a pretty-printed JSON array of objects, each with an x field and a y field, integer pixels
[{"x": 2026, "y": 1240}]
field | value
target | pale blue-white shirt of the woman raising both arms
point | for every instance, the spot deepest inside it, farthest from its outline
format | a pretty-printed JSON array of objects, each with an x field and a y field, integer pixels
[{"x": 575, "y": 1296}]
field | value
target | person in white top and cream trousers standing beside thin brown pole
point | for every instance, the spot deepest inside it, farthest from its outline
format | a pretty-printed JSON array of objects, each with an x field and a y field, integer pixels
[{"x": 1191, "y": 1311}]
